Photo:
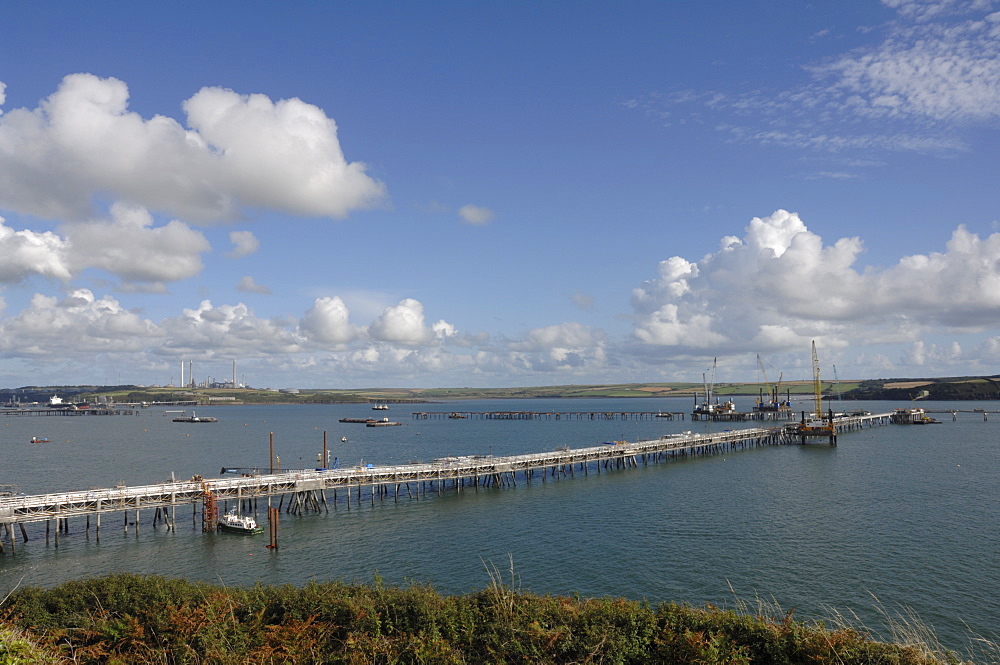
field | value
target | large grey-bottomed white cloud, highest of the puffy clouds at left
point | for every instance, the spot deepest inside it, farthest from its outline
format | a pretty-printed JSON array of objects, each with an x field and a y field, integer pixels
[{"x": 240, "y": 151}]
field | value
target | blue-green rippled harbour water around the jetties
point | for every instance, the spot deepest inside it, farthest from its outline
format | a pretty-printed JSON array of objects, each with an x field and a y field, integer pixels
[{"x": 895, "y": 520}]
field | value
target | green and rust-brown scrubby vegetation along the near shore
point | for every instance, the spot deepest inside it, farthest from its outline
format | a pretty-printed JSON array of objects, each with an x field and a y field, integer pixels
[{"x": 128, "y": 618}]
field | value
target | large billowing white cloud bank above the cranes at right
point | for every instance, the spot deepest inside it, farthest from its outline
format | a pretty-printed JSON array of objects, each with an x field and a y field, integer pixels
[{"x": 780, "y": 285}]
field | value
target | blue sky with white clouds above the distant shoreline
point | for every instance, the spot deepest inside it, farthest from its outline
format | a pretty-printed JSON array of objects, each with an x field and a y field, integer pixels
[{"x": 352, "y": 194}]
